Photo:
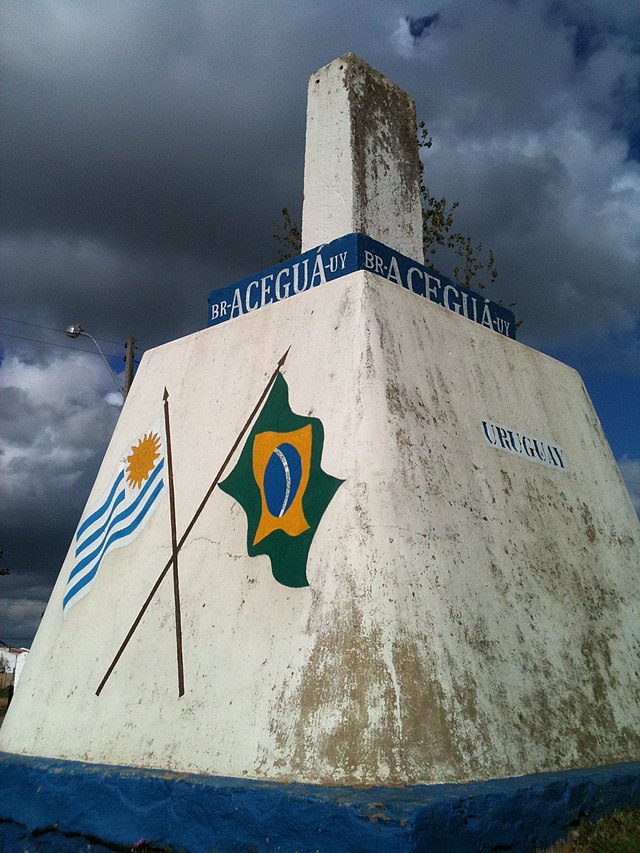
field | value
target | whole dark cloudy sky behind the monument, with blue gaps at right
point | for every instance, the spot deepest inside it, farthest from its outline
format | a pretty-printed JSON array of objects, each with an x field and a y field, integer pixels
[{"x": 148, "y": 146}]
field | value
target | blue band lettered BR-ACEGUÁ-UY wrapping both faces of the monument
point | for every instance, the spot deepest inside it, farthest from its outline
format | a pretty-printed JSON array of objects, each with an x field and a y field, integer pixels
[{"x": 346, "y": 255}]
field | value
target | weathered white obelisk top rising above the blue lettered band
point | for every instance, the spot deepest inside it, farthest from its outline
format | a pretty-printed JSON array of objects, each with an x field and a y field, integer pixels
[{"x": 361, "y": 159}]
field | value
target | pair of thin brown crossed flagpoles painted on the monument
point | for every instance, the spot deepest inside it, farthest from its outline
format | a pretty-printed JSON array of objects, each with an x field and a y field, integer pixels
[{"x": 176, "y": 545}]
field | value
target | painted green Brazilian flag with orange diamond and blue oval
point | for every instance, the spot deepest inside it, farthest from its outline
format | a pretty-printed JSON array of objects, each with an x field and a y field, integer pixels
[{"x": 280, "y": 485}]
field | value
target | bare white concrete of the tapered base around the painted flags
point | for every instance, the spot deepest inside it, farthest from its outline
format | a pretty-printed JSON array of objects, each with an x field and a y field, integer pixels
[{"x": 470, "y": 614}]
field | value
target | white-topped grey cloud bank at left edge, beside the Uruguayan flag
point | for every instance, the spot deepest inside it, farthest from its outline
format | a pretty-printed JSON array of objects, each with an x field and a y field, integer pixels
[{"x": 56, "y": 421}]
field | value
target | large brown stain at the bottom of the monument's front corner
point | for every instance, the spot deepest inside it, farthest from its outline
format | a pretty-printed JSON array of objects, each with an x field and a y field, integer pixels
[{"x": 384, "y": 716}]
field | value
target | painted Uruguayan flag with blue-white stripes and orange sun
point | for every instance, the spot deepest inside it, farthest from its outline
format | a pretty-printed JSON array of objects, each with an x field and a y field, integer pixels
[{"x": 121, "y": 514}]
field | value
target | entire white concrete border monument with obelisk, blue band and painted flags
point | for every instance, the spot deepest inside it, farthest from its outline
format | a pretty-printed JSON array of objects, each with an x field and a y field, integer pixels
[{"x": 380, "y": 543}]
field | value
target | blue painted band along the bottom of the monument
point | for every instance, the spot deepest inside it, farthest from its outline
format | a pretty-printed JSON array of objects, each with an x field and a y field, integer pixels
[{"x": 71, "y": 806}]
